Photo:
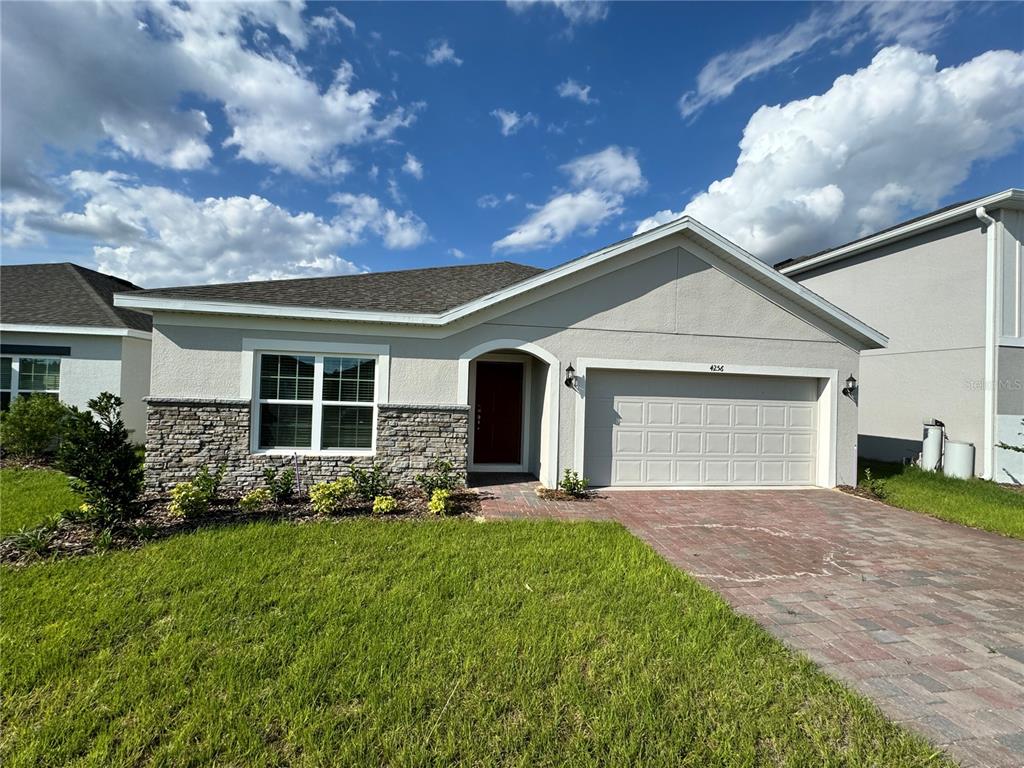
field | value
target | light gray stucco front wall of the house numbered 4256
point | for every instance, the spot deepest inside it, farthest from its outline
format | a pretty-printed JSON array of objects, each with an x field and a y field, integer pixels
[{"x": 671, "y": 307}]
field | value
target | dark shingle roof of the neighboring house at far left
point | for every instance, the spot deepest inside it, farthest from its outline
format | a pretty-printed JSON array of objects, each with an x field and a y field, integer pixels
[{"x": 65, "y": 294}]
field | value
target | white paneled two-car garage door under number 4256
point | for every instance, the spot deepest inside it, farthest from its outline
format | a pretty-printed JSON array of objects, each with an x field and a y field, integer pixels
[{"x": 648, "y": 429}]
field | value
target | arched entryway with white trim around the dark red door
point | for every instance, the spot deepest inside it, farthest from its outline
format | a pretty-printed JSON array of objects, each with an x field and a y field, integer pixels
[{"x": 511, "y": 388}]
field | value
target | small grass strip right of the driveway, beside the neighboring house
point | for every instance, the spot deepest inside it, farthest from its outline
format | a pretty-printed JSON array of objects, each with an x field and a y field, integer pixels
[{"x": 977, "y": 503}]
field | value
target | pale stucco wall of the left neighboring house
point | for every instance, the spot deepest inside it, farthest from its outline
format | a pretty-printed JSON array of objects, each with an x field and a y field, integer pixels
[{"x": 99, "y": 364}]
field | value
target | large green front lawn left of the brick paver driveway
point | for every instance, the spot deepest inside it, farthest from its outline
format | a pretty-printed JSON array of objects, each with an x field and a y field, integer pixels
[{"x": 409, "y": 644}]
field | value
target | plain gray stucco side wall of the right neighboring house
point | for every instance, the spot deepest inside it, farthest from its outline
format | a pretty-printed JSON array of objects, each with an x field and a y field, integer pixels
[{"x": 927, "y": 294}]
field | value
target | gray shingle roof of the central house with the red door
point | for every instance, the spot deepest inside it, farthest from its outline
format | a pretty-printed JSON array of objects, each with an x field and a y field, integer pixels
[{"x": 433, "y": 290}]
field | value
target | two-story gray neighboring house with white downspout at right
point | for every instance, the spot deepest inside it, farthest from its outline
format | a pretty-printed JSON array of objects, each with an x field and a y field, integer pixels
[{"x": 948, "y": 290}]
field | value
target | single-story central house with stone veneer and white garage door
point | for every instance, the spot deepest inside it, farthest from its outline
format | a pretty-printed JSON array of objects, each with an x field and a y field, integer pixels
[{"x": 672, "y": 359}]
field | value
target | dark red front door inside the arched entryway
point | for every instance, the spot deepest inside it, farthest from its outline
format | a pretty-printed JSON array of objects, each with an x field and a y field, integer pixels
[{"x": 498, "y": 432}]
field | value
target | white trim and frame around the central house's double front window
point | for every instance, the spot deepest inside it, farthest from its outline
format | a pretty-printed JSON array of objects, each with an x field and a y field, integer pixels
[{"x": 253, "y": 350}]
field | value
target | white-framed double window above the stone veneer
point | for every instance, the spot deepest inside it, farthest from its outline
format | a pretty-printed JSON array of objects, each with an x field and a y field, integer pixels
[{"x": 316, "y": 403}]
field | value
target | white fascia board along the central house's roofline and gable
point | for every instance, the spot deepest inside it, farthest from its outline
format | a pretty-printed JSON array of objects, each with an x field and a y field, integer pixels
[{"x": 765, "y": 274}]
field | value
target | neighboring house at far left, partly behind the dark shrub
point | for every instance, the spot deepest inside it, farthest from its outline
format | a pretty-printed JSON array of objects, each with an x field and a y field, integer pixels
[{"x": 61, "y": 334}]
